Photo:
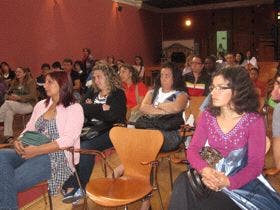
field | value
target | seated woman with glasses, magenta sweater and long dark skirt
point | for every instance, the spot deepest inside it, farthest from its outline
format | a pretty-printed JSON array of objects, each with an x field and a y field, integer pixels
[{"x": 233, "y": 126}]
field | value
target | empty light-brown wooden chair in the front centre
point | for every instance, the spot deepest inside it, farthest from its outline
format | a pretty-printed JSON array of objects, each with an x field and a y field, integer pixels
[{"x": 137, "y": 150}]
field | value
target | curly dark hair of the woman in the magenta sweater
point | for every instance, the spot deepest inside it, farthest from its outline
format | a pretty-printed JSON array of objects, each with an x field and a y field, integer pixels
[{"x": 245, "y": 96}]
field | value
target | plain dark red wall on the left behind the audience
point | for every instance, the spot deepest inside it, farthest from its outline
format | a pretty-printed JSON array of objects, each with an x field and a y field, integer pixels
[{"x": 37, "y": 31}]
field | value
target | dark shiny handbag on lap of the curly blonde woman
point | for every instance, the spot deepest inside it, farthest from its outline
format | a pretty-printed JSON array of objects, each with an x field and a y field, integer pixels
[{"x": 94, "y": 128}]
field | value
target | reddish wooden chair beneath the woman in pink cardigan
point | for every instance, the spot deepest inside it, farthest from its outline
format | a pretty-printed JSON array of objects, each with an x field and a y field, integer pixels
[{"x": 34, "y": 192}]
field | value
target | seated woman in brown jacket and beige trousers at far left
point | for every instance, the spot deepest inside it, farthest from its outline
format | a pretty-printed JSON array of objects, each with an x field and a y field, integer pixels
[{"x": 20, "y": 99}]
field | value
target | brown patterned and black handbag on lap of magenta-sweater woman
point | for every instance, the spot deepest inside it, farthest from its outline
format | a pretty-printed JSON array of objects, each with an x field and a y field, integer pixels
[{"x": 212, "y": 156}]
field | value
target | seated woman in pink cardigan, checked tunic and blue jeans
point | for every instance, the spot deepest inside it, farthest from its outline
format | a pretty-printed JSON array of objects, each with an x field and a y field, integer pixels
[{"x": 59, "y": 118}]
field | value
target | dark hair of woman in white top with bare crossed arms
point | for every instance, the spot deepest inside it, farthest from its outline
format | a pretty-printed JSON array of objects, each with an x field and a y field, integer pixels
[{"x": 178, "y": 82}]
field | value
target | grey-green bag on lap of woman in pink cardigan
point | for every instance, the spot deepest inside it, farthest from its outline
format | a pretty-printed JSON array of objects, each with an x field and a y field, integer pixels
[{"x": 34, "y": 138}]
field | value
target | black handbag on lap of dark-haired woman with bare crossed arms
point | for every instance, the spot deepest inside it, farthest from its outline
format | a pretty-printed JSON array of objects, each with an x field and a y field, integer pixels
[{"x": 161, "y": 122}]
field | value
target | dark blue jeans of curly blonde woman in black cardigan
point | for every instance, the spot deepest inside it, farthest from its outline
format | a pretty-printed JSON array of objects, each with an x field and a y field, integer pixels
[{"x": 86, "y": 164}]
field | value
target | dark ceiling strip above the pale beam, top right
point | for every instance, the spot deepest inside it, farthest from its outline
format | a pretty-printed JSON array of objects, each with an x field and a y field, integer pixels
[{"x": 167, "y": 4}]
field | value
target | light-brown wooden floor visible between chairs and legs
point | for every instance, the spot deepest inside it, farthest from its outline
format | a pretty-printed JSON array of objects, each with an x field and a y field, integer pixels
[{"x": 163, "y": 177}]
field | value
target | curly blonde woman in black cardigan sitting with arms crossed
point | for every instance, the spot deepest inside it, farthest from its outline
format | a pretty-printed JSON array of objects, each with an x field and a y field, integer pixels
[{"x": 107, "y": 104}]
